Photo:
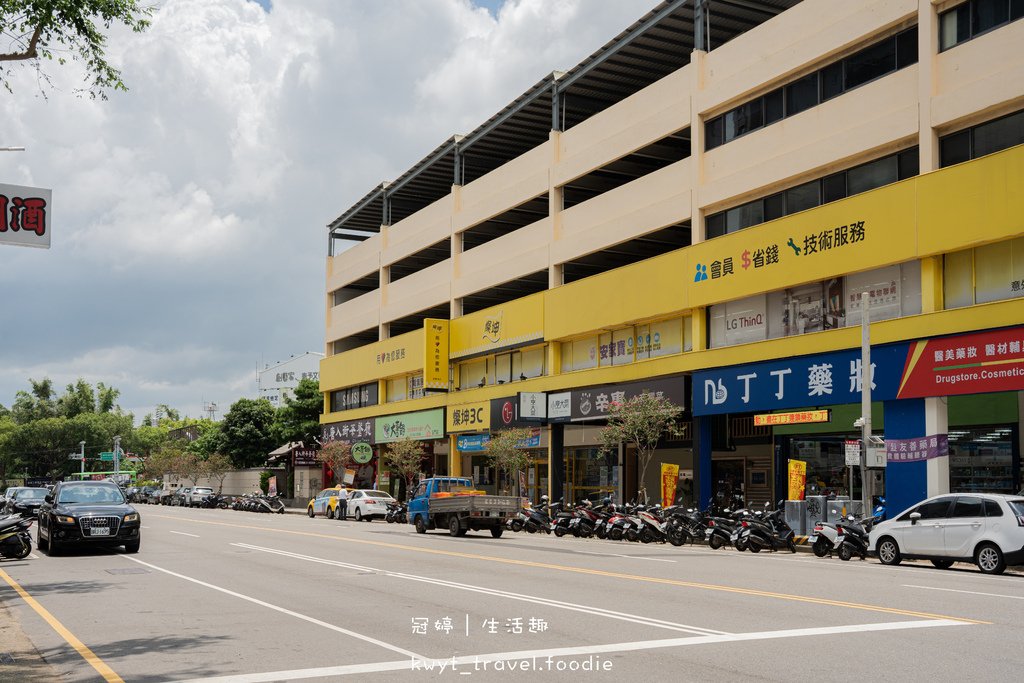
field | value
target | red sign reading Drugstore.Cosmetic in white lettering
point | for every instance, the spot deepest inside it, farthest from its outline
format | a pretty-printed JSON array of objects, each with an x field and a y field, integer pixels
[{"x": 967, "y": 364}]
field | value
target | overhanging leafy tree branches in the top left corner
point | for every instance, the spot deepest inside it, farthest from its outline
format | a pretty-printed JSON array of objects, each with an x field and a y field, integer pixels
[{"x": 65, "y": 30}]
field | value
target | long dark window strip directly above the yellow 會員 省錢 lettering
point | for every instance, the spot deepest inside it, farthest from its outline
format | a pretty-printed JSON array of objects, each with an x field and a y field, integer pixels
[{"x": 809, "y": 195}]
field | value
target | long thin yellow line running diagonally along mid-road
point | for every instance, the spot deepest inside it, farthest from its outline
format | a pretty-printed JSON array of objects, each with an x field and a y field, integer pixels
[{"x": 598, "y": 573}]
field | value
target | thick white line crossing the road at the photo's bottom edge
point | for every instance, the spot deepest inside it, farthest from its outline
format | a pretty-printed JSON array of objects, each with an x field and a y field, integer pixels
[{"x": 540, "y": 658}]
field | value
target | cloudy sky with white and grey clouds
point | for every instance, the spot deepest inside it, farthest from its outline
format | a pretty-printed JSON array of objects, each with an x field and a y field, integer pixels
[{"x": 189, "y": 219}]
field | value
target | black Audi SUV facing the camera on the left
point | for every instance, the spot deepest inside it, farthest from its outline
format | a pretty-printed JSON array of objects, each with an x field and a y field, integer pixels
[{"x": 89, "y": 514}]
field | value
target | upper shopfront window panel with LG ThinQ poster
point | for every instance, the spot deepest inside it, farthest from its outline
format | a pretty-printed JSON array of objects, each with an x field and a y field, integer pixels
[{"x": 891, "y": 292}]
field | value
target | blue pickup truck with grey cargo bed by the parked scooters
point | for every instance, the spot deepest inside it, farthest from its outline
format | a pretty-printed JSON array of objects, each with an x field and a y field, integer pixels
[{"x": 436, "y": 504}]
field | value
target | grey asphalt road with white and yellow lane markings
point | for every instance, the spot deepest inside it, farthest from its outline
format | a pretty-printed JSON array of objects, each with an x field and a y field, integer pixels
[{"x": 229, "y": 596}]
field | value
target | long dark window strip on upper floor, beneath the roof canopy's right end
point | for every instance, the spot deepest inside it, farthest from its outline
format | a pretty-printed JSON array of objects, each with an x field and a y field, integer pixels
[{"x": 874, "y": 62}]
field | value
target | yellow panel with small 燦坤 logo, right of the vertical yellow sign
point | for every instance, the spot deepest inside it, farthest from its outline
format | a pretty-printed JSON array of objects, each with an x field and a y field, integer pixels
[{"x": 511, "y": 324}]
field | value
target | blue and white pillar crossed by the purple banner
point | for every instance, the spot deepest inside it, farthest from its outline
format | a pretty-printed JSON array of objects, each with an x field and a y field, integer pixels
[{"x": 911, "y": 483}]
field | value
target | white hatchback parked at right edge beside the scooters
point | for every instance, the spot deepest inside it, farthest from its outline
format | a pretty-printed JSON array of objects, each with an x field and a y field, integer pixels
[{"x": 985, "y": 529}]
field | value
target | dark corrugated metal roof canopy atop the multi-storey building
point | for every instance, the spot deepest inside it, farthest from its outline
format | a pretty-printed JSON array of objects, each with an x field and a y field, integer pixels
[{"x": 655, "y": 47}]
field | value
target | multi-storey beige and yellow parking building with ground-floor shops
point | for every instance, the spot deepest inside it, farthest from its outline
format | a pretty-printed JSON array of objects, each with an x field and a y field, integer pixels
[{"x": 704, "y": 208}]
